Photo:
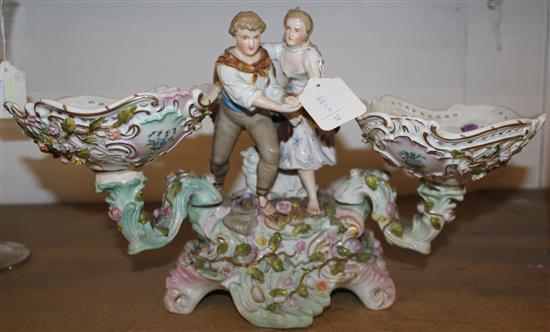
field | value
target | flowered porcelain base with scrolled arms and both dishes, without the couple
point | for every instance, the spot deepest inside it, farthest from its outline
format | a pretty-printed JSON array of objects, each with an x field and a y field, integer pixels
[{"x": 282, "y": 273}]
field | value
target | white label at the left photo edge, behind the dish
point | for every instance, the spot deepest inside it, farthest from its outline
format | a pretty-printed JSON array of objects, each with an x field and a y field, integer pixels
[{"x": 12, "y": 86}]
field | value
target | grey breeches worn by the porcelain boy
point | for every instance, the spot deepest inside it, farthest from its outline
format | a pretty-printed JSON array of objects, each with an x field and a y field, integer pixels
[{"x": 227, "y": 129}]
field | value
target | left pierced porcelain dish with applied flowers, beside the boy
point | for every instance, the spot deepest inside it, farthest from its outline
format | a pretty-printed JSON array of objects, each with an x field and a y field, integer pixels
[{"x": 111, "y": 135}]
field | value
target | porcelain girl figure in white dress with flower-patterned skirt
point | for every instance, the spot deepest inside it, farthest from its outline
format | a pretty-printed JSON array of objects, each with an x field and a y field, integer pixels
[{"x": 298, "y": 60}]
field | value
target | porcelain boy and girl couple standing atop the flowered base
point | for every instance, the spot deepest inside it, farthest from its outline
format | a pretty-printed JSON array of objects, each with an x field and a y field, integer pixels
[{"x": 258, "y": 80}]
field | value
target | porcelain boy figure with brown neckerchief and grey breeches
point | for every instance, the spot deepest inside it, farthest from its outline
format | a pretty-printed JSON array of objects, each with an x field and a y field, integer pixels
[{"x": 247, "y": 79}]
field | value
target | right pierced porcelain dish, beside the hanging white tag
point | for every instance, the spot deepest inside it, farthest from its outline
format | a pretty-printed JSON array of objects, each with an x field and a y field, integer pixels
[{"x": 448, "y": 146}]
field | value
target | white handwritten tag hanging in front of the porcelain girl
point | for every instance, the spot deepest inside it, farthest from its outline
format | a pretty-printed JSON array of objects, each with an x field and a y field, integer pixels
[{"x": 330, "y": 102}]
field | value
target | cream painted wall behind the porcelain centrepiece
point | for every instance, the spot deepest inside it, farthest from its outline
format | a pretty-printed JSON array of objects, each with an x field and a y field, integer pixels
[{"x": 432, "y": 54}]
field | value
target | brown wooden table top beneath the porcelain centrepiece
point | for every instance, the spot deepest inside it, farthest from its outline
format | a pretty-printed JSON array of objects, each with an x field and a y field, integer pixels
[{"x": 489, "y": 270}]
